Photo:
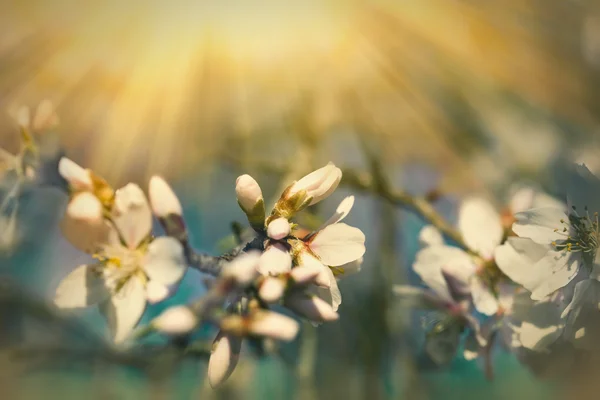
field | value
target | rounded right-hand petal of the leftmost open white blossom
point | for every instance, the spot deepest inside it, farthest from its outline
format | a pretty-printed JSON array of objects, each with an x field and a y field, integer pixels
[{"x": 164, "y": 261}]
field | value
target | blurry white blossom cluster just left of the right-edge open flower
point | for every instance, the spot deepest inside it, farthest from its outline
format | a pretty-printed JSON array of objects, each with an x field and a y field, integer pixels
[{"x": 470, "y": 287}]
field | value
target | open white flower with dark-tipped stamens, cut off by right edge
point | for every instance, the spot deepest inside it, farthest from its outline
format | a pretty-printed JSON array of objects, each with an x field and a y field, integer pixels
[{"x": 563, "y": 243}]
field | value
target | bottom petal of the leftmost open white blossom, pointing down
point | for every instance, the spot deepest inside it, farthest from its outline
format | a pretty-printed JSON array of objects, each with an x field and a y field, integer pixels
[{"x": 124, "y": 309}]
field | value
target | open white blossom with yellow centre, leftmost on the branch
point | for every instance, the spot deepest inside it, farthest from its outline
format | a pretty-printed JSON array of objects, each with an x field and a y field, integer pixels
[{"x": 128, "y": 261}]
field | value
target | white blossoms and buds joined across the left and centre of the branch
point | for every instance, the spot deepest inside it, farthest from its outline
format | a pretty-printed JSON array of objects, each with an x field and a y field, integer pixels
[{"x": 279, "y": 267}]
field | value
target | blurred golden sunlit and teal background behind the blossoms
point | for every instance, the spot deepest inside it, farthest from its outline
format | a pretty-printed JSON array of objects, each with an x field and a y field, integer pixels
[{"x": 451, "y": 97}]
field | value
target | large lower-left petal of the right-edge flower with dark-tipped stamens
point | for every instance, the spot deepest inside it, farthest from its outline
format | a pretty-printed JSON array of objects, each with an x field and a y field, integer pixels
[{"x": 537, "y": 268}]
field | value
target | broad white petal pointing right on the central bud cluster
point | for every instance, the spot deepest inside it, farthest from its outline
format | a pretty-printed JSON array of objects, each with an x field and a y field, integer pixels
[{"x": 338, "y": 244}]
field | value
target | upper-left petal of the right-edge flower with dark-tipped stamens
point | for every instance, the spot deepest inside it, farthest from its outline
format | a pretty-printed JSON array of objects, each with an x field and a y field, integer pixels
[{"x": 542, "y": 225}]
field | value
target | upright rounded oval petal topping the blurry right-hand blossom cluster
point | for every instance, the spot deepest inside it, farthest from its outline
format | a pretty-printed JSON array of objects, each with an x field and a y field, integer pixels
[{"x": 480, "y": 225}]
